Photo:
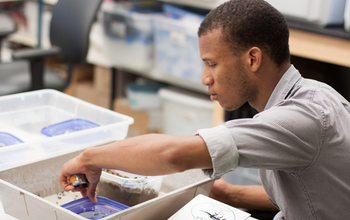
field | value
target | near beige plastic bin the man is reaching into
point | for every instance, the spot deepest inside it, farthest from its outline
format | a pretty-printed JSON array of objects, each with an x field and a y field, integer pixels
[{"x": 24, "y": 189}]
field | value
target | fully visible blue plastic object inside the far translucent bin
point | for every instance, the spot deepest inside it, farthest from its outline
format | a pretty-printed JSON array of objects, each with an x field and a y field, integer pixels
[{"x": 66, "y": 127}]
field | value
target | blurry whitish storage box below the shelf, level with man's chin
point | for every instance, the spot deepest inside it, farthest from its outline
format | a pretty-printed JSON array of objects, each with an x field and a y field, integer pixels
[{"x": 185, "y": 112}]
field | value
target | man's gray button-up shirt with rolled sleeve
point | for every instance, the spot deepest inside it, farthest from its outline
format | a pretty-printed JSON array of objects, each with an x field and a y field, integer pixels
[{"x": 300, "y": 143}]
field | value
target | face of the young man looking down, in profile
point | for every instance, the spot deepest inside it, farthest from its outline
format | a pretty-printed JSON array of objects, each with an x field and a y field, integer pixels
[{"x": 224, "y": 73}]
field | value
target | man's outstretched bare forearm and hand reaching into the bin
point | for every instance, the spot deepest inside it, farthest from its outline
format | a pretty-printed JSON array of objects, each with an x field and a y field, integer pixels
[{"x": 152, "y": 154}]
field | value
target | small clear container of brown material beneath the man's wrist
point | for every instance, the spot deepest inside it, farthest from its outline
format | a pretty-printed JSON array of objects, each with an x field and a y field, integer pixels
[{"x": 127, "y": 188}]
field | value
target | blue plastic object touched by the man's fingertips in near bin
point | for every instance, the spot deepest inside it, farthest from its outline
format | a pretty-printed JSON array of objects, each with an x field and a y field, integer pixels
[{"x": 104, "y": 207}]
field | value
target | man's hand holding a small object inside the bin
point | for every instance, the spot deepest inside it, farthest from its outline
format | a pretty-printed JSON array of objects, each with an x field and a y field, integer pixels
[{"x": 77, "y": 166}]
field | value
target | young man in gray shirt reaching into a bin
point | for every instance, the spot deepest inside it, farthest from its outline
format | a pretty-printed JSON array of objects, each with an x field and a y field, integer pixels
[{"x": 298, "y": 139}]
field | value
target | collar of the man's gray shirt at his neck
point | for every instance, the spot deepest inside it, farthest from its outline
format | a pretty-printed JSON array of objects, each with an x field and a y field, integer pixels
[{"x": 284, "y": 86}]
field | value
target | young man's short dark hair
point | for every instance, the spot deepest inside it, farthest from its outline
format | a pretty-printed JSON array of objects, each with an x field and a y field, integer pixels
[{"x": 248, "y": 23}]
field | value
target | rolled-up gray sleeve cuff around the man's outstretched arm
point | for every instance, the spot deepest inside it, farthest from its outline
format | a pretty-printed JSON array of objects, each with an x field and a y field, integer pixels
[{"x": 222, "y": 149}]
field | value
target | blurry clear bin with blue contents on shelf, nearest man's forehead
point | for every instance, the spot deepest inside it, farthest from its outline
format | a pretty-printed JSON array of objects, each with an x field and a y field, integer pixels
[{"x": 176, "y": 44}]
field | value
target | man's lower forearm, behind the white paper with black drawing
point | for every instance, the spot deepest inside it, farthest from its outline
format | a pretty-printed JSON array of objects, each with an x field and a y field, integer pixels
[{"x": 248, "y": 197}]
